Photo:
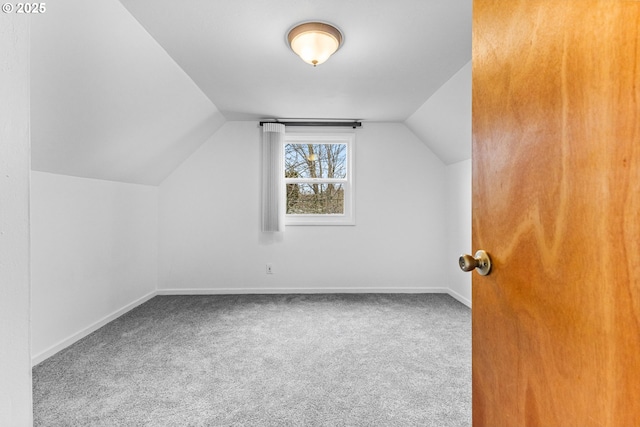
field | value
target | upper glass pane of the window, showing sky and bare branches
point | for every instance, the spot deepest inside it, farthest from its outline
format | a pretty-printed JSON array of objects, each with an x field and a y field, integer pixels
[{"x": 315, "y": 161}]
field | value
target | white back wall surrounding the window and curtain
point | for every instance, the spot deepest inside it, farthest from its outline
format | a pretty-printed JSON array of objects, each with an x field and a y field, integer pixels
[{"x": 210, "y": 237}]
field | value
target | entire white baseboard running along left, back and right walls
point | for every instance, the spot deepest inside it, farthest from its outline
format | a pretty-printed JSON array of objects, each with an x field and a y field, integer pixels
[{"x": 40, "y": 357}]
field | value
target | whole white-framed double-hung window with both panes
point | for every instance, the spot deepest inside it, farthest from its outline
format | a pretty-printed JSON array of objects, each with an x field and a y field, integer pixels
[{"x": 318, "y": 176}]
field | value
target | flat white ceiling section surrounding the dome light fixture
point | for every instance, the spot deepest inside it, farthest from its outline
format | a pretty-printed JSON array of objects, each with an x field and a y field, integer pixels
[{"x": 396, "y": 54}]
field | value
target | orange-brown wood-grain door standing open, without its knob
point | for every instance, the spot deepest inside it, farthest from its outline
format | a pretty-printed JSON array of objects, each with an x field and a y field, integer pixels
[{"x": 556, "y": 203}]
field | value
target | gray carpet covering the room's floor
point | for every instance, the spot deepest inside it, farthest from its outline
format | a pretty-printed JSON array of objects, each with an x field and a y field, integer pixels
[{"x": 267, "y": 360}]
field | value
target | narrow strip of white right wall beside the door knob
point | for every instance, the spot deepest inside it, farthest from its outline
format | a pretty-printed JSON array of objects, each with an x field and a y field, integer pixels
[{"x": 458, "y": 226}]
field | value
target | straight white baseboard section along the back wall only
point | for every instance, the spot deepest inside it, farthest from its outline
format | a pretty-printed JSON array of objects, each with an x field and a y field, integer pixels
[{"x": 236, "y": 291}]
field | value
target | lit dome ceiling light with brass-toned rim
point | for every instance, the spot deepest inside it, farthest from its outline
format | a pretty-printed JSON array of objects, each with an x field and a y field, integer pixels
[{"x": 314, "y": 42}]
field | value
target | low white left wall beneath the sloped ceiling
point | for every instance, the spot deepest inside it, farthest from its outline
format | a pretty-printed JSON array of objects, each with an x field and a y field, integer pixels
[{"x": 94, "y": 255}]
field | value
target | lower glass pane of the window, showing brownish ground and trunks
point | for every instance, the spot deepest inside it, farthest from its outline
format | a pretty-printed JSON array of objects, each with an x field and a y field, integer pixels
[{"x": 315, "y": 199}]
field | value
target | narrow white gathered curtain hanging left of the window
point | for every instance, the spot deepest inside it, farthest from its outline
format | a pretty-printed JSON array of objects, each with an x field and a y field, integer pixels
[{"x": 272, "y": 179}]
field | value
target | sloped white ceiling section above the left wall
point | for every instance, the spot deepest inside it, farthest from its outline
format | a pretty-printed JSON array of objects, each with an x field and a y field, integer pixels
[{"x": 107, "y": 102}]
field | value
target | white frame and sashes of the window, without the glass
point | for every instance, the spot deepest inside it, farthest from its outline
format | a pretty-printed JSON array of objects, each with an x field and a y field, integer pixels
[{"x": 348, "y": 184}]
